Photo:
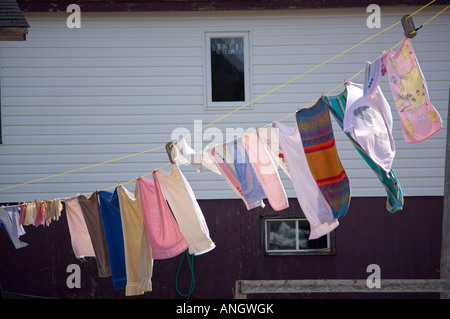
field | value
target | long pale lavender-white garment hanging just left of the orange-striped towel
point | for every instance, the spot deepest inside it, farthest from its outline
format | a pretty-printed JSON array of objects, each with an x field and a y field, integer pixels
[{"x": 314, "y": 205}]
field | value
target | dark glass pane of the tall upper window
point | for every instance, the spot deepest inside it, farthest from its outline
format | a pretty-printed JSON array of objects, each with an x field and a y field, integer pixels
[{"x": 227, "y": 69}]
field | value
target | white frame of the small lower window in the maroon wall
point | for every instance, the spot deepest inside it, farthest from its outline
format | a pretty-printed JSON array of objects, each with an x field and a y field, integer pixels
[{"x": 297, "y": 250}]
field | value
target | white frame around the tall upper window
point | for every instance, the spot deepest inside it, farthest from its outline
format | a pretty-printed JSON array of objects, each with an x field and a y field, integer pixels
[{"x": 208, "y": 35}]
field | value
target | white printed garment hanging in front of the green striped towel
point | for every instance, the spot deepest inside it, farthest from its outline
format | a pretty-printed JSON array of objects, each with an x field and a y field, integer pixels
[{"x": 368, "y": 119}]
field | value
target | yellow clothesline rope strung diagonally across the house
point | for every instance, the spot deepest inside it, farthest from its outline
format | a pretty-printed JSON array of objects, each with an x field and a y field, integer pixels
[{"x": 235, "y": 110}]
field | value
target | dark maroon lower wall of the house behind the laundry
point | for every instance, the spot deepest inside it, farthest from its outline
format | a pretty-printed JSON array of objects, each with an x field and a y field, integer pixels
[{"x": 406, "y": 245}]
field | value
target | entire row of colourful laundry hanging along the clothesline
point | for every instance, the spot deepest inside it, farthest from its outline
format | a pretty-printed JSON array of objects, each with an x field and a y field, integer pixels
[{"x": 162, "y": 218}]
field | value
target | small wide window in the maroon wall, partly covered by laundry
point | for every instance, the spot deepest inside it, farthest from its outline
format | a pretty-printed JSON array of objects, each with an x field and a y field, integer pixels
[{"x": 290, "y": 236}]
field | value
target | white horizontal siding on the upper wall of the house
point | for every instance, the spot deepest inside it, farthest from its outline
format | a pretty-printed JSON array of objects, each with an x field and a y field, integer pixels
[{"x": 123, "y": 82}]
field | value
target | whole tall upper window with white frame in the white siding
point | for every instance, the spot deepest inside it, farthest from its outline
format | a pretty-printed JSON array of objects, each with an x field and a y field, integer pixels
[{"x": 227, "y": 78}]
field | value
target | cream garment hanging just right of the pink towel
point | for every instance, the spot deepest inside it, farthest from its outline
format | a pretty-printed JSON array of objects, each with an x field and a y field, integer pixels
[{"x": 185, "y": 209}]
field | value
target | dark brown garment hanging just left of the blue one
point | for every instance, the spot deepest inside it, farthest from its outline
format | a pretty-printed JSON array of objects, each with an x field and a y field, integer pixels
[{"x": 91, "y": 213}]
